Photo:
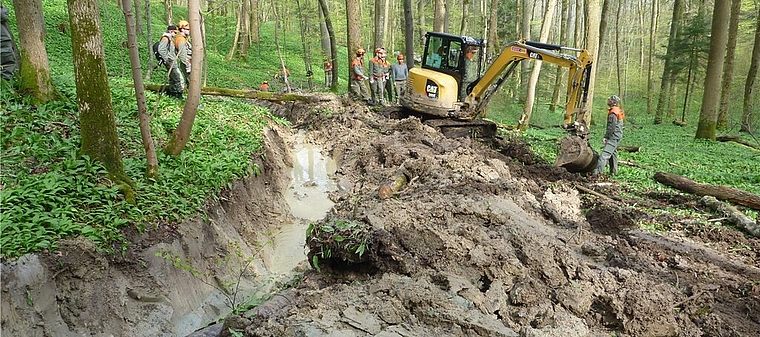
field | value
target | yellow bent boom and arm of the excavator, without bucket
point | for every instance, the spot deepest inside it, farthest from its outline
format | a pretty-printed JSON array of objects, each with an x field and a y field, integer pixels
[{"x": 481, "y": 91}]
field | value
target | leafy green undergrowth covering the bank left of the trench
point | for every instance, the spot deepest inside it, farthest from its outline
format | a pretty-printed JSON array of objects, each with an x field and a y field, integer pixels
[{"x": 49, "y": 191}]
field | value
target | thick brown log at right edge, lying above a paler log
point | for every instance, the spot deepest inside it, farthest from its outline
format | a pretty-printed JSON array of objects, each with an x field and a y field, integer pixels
[{"x": 724, "y": 193}]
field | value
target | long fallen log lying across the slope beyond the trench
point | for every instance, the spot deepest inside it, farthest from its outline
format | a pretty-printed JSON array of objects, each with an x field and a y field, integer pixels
[{"x": 251, "y": 94}]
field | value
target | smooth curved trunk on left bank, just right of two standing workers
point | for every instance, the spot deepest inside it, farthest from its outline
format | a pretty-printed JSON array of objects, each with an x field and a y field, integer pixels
[{"x": 182, "y": 134}]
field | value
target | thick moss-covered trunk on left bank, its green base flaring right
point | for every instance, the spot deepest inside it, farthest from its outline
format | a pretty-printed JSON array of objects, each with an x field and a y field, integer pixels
[{"x": 96, "y": 116}]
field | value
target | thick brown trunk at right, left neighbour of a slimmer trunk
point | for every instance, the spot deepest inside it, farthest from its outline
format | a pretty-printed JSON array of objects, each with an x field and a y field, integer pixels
[{"x": 708, "y": 116}]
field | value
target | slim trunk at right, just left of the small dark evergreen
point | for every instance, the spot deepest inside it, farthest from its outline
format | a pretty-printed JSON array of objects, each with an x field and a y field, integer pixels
[{"x": 666, "y": 84}]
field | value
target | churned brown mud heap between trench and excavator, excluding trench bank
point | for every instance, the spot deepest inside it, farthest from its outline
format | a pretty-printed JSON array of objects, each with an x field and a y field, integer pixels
[{"x": 486, "y": 241}]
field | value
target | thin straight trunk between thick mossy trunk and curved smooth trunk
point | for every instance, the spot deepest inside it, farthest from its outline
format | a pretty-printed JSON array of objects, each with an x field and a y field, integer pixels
[{"x": 151, "y": 169}]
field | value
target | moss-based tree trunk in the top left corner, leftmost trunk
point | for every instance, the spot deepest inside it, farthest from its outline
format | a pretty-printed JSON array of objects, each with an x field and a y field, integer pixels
[{"x": 34, "y": 78}]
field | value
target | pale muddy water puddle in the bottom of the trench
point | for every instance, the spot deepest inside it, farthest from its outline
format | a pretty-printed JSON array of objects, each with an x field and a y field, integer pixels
[{"x": 307, "y": 195}]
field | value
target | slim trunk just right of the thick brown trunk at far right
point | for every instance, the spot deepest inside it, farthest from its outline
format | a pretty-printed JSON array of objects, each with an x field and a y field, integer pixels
[{"x": 728, "y": 66}]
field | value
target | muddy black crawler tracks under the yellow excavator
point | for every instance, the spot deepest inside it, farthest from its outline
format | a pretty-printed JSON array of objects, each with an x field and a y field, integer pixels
[{"x": 451, "y": 128}]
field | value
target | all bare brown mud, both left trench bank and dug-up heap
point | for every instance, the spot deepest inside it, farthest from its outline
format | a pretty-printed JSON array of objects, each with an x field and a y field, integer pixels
[{"x": 483, "y": 240}]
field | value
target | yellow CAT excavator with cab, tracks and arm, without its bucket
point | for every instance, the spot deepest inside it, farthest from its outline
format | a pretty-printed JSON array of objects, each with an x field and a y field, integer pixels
[{"x": 452, "y": 86}]
